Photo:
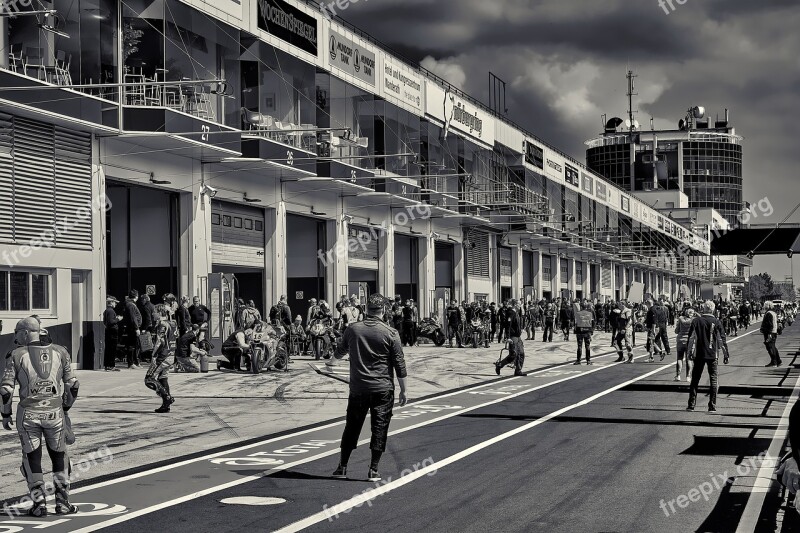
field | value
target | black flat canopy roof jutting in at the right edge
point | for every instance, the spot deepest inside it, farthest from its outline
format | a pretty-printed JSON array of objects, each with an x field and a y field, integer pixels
[{"x": 759, "y": 241}]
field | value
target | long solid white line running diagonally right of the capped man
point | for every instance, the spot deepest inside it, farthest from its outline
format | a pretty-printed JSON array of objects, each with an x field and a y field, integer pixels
[{"x": 362, "y": 498}]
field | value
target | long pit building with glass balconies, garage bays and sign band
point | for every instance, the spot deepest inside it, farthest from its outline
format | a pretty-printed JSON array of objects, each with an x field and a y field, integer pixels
[{"x": 259, "y": 149}]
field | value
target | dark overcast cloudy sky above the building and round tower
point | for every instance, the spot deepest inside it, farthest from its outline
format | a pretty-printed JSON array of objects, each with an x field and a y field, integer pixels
[{"x": 564, "y": 62}]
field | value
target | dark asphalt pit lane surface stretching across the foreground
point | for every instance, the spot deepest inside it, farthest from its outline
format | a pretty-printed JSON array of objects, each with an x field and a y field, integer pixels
[{"x": 604, "y": 465}]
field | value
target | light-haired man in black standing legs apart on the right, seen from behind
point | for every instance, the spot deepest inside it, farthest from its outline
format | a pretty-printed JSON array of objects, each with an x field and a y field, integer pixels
[{"x": 706, "y": 338}]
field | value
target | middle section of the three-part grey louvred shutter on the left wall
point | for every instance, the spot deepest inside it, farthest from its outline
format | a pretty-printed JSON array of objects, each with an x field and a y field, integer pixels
[{"x": 34, "y": 184}]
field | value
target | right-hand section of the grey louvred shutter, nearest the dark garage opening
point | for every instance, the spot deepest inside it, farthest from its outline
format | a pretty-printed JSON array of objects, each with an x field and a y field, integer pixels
[{"x": 73, "y": 187}]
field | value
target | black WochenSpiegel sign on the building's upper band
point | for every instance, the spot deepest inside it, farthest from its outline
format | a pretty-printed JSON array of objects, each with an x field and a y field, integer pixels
[{"x": 288, "y": 23}]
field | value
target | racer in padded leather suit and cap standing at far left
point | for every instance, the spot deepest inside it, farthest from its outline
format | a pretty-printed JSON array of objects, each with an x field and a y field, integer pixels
[{"x": 47, "y": 389}]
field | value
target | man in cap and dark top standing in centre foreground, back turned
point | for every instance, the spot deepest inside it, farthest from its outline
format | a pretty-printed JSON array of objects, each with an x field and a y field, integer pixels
[{"x": 376, "y": 355}]
